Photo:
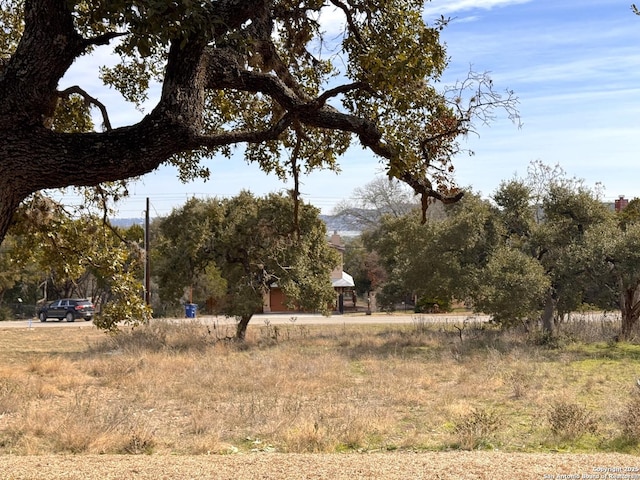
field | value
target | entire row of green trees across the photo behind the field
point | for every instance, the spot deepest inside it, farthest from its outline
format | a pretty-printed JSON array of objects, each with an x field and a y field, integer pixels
[{"x": 541, "y": 247}]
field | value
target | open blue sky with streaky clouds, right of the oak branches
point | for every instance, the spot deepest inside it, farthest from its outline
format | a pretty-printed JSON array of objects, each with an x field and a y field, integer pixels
[{"x": 575, "y": 66}]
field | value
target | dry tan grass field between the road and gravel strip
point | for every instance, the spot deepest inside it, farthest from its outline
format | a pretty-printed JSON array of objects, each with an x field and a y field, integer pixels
[{"x": 182, "y": 390}]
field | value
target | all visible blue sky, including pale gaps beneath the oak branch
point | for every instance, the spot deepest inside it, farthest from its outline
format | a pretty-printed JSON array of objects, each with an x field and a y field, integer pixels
[{"x": 574, "y": 65}]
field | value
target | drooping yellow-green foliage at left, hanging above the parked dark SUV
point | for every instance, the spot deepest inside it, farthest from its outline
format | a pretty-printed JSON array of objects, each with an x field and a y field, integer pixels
[{"x": 55, "y": 253}]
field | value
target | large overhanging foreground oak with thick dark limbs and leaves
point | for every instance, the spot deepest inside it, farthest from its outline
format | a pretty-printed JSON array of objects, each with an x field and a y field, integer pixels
[{"x": 262, "y": 73}]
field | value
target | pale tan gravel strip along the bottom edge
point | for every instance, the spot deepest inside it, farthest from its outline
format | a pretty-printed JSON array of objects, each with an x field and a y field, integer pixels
[{"x": 387, "y": 466}]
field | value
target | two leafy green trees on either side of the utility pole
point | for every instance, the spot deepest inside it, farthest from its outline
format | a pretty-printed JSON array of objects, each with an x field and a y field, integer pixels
[{"x": 222, "y": 254}]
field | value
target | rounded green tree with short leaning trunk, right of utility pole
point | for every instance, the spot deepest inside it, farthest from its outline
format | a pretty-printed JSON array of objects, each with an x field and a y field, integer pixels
[{"x": 235, "y": 250}]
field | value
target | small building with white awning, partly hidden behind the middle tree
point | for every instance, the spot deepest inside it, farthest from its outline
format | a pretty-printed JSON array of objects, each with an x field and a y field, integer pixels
[{"x": 275, "y": 300}]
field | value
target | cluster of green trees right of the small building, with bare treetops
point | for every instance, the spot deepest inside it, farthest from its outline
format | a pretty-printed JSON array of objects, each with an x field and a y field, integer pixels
[{"x": 541, "y": 247}]
